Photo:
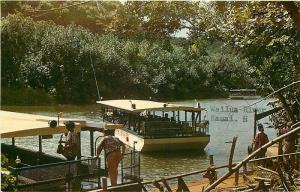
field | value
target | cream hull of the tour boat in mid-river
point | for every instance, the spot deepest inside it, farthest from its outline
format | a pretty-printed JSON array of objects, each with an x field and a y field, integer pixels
[{"x": 162, "y": 144}]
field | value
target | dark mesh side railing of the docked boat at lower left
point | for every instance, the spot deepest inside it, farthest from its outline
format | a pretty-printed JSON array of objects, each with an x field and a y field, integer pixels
[{"x": 34, "y": 178}]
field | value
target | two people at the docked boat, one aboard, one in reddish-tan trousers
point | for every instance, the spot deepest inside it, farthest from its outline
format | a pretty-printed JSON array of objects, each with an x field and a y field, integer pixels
[{"x": 114, "y": 149}]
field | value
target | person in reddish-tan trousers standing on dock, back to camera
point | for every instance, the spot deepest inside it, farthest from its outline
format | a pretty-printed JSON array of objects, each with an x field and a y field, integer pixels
[{"x": 114, "y": 151}]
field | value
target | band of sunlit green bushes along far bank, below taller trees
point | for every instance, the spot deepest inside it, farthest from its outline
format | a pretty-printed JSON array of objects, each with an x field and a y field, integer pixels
[{"x": 59, "y": 60}]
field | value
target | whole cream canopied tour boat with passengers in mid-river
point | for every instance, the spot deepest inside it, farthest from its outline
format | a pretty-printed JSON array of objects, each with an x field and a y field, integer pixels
[{"x": 157, "y": 126}]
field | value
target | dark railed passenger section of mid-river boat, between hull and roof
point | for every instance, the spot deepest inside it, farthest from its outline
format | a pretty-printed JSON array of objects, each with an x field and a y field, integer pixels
[{"x": 174, "y": 128}]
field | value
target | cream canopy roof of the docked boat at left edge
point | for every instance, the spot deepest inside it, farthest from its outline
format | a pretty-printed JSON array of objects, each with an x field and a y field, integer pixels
[{"x": 22, "y": 125}]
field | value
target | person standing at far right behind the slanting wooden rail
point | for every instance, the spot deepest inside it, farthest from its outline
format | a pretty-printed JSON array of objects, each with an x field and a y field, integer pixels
[{"x": 260, "y": 139}]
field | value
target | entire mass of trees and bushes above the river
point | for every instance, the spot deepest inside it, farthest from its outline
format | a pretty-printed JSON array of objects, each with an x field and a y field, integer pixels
[{"x": 53, "y": 47}]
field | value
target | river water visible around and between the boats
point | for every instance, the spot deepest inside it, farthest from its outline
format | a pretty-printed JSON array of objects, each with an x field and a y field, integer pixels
[{"x": 227, "y": 118}]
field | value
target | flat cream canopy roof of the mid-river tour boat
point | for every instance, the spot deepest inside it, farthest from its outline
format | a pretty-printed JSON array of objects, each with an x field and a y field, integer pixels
[{"x": 145, "y": 105}]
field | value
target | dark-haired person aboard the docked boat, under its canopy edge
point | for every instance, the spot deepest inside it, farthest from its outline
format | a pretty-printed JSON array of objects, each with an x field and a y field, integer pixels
[{"x": 71, "y": 148}]
